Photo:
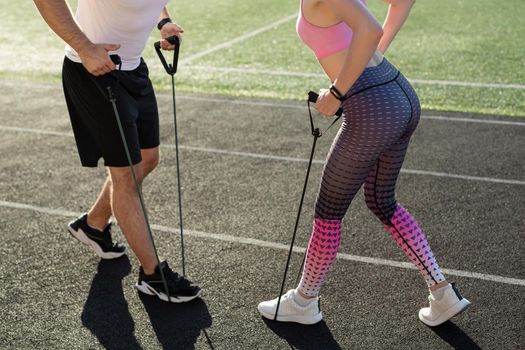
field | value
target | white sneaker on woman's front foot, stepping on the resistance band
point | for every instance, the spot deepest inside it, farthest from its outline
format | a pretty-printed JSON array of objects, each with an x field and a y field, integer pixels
[{"x": 290, "y": 310}]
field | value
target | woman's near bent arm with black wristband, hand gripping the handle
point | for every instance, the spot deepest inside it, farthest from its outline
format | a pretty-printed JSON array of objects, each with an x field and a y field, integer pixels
[{"x": 367, "y": 33}]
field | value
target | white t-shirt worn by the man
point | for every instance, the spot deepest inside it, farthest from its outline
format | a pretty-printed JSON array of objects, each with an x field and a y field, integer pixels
[{"x": 124, "y": 22}]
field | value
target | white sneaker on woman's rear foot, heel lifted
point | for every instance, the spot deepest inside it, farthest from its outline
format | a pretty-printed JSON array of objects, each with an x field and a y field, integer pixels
[{"x": 441, "y": 310}]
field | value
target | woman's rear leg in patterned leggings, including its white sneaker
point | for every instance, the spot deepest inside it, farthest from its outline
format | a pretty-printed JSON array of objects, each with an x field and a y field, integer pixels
[{"x": 445, "y": 299}]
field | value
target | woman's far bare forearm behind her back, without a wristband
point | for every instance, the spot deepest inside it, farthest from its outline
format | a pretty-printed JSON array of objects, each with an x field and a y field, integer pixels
[{"x": 398, "y": 11}]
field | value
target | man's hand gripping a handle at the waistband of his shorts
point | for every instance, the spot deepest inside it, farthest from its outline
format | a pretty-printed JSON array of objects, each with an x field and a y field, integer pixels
[{"x": 95, "y": 58}]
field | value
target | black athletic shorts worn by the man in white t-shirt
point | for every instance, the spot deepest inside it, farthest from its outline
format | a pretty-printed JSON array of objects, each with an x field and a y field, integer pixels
[{"x": 93, "y": 119}]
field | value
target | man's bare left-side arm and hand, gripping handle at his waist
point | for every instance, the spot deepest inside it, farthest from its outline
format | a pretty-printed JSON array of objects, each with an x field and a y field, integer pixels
[{"x": 57, "y": 15}]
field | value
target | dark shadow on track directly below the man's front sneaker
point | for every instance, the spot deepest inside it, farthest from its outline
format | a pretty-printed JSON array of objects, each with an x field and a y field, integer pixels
[{"x": 178, "y": 326}]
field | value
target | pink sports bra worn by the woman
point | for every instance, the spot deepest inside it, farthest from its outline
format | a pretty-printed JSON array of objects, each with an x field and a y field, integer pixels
[{"x": 324, "y": 41}]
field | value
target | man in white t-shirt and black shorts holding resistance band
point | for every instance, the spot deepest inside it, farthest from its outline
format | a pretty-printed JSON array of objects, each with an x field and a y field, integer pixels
[{"x": 119, "y": 27}]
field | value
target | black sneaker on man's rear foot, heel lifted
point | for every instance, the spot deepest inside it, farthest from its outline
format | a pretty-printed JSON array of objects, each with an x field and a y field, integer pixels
[{"x": 99, "y": 241}]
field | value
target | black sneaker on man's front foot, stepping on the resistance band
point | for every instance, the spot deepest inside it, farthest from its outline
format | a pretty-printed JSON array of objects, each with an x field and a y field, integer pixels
[{"x": 180, "y": 289}]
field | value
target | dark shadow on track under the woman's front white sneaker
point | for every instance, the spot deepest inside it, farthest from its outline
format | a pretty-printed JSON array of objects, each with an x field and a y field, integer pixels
[{"x": 299, "y": 336}]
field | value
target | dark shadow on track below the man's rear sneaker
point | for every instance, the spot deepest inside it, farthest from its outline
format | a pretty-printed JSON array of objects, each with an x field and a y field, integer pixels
[{"x": 106, "y": 312}]
